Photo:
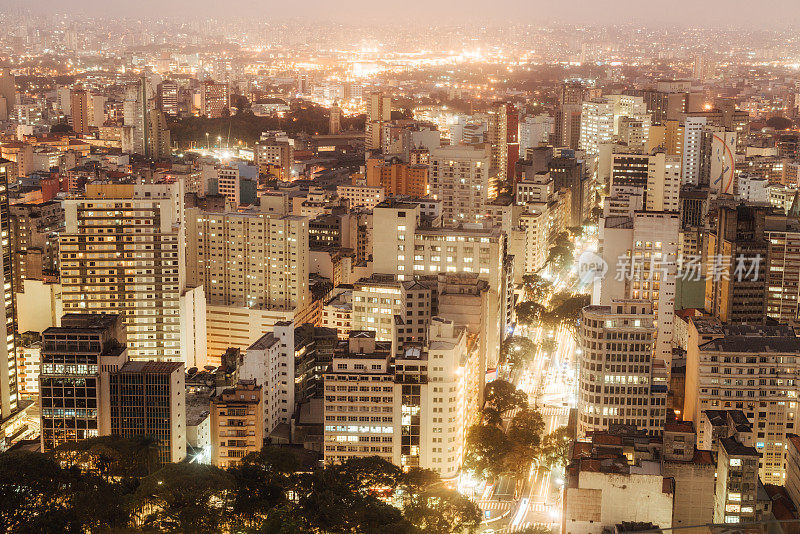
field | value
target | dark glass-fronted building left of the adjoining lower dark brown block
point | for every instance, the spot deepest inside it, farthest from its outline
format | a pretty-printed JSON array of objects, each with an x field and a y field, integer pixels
[{"x": 77, "y": 358}]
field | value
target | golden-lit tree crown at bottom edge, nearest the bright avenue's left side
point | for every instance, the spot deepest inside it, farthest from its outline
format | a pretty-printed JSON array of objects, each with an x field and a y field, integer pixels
[{"x": 442, "y": 511}]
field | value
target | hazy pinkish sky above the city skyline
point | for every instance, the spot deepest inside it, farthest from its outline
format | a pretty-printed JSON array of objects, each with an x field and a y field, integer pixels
[{"x": 758, "y": 13}]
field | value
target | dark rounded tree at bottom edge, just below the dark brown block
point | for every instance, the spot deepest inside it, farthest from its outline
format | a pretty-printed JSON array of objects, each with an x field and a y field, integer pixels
[{"x": 186, "y": 497}]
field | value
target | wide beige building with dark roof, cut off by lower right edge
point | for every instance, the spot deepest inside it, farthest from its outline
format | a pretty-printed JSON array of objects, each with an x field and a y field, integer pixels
[{"x": 743, "y": 367}]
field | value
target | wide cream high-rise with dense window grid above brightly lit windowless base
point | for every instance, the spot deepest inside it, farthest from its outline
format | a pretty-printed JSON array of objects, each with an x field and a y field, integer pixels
[{"x": 254, "y": 267}]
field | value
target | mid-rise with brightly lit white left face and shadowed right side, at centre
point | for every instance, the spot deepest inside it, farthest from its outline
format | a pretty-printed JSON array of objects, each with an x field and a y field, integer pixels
[{"x": 390, "y": 308}]
